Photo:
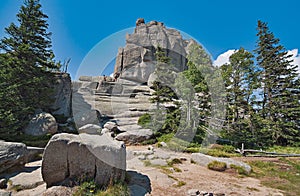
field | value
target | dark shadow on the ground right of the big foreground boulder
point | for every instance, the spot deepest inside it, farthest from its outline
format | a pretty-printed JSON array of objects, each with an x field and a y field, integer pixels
[{"x": 139, "y": 184}]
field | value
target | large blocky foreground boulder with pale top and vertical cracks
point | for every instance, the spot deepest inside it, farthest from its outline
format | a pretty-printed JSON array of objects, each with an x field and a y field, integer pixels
[{"x": 68, "y": 157}]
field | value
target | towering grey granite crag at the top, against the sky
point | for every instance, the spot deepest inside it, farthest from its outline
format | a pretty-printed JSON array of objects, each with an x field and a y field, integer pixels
[{"x": 136, "y": 61}]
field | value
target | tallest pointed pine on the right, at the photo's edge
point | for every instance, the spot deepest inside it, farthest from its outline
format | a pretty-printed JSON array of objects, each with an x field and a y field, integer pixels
[{"x": 280, "y": 102}]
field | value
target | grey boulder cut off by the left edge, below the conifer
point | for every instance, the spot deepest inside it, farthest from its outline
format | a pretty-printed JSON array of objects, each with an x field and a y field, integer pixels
[{"x": 12, "y": 155}]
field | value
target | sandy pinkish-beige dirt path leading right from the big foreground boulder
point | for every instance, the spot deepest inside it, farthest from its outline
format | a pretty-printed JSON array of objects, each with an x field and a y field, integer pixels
[{"x": 192, "y": 176}]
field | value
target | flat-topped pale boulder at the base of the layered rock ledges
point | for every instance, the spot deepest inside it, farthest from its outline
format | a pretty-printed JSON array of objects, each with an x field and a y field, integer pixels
[{"x": 135, "y": 136}]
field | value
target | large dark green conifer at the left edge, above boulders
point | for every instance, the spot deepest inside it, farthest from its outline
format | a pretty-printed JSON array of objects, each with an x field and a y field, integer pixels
[{"x": 25, "y": 81}]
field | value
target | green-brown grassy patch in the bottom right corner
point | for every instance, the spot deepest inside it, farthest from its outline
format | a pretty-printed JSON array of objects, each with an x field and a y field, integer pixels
[{"x": 283, "y": 174}]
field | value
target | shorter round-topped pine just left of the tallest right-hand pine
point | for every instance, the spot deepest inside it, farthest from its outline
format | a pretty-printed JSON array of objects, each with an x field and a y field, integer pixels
[{"x": 240, "y": 79}]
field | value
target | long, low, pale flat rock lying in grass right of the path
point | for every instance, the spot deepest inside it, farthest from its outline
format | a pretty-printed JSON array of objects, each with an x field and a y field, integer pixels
[{"x": 204, "y": 160}]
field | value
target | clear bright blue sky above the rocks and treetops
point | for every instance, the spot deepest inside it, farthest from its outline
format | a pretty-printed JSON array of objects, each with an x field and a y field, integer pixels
[{"x": 78, "y": 26}]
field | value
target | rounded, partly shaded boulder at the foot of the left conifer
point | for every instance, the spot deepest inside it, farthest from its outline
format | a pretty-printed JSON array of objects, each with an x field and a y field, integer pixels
[{"x": 41, "y": 124}]
